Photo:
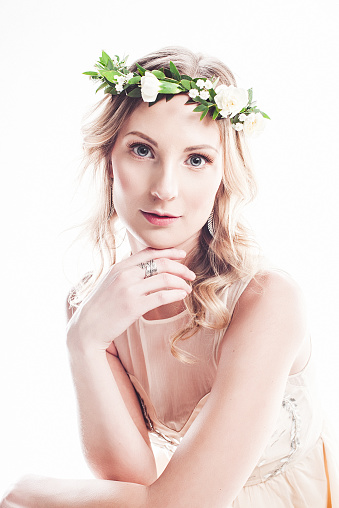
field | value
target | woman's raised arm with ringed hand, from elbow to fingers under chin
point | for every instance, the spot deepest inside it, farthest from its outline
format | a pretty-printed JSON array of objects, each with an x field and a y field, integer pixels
[{"x": 113, "y": 430}]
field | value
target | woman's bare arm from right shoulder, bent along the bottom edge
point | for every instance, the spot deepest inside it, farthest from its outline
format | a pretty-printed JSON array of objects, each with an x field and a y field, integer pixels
[{"x": 224, "y": 443}]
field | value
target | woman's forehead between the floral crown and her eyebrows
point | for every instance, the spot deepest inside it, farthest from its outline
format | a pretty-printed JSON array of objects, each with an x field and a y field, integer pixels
[{"x": 174, "y": 122}]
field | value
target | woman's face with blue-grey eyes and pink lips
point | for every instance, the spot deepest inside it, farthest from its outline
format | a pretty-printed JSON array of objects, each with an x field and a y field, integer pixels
[{"x": 167, "y": 168}]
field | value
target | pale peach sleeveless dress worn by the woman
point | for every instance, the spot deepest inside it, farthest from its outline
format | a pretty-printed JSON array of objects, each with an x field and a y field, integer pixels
[{"x": 298, "y": 467}]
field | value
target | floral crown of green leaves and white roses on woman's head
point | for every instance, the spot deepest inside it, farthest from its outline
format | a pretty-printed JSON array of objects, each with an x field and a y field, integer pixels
[{"x": 221, "y": 101}]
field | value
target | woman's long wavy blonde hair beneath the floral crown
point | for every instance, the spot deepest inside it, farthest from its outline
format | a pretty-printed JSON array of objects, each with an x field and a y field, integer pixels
[{"x": 218, "y": 261}]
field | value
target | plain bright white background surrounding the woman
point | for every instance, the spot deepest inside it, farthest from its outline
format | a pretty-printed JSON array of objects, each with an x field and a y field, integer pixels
[{"x": 286, "y": 50}]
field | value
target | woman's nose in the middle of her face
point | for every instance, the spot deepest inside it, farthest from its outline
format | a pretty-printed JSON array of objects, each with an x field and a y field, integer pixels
[{"x": 165, "y": 182}]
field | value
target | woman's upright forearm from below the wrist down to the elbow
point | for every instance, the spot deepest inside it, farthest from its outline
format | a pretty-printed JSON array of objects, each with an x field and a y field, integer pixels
[{"x": 112, "y": 443}]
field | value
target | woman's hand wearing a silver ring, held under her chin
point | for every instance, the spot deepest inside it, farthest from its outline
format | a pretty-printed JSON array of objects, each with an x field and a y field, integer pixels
[{"x": 124, "y": 295}]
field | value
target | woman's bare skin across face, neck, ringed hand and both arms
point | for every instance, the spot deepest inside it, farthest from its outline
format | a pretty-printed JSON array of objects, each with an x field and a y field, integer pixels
[{"x": 266, "y": 340}]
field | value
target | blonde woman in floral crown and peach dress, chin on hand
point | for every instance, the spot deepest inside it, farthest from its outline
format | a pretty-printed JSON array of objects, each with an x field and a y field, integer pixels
[{"x": 231, "y": 417}]
